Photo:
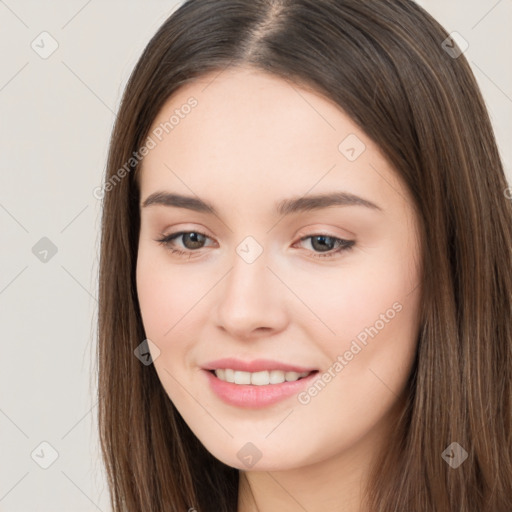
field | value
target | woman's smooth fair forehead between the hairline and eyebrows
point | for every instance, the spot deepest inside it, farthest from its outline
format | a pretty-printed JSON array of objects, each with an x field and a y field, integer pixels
[{"x": 252, "y": 134}]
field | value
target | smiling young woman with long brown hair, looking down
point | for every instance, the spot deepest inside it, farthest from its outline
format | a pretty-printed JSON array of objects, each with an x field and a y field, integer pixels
[{"x": 305, "y": 287}]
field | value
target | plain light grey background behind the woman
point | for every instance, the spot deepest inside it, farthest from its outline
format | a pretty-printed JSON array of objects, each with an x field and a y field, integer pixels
[{"x": 56, "y": 117}]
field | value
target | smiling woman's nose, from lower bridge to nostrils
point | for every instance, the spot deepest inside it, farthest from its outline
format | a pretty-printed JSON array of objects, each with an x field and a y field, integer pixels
[{"x": 251, "y": 299}]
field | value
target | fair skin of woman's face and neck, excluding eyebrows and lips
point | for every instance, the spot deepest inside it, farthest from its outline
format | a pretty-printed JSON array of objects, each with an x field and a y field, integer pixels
[{"x": 251, "y": 141}]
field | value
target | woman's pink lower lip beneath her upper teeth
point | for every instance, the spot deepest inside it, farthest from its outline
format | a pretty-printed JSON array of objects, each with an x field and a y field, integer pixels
[{"x": 250, "y": 396}]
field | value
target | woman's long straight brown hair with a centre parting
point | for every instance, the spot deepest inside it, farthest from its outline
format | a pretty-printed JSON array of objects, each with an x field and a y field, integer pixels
[{"x": 385, "y": 64}]
